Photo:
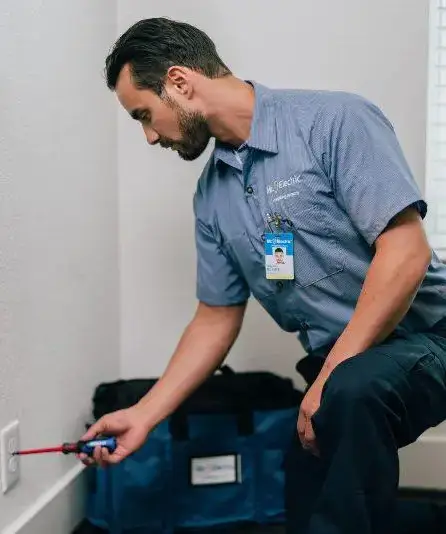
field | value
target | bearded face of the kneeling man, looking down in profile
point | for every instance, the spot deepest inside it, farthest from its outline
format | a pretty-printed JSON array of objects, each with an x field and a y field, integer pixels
[{"x": 164, "y": 120}]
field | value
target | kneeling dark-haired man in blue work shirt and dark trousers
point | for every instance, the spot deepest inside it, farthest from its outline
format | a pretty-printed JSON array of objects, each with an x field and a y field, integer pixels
[{"x": 367, "y": 292}]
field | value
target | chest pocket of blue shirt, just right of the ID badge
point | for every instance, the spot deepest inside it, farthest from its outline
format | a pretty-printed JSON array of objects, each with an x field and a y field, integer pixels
[{"x": 317, "y": 251}]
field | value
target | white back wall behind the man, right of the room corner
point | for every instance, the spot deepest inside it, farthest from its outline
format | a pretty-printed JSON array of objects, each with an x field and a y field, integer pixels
[{"x": 377, "y": 48}]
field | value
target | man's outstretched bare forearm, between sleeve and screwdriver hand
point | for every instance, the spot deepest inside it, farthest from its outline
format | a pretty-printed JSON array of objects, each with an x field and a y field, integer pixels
[{"x": 202, "y": 348}]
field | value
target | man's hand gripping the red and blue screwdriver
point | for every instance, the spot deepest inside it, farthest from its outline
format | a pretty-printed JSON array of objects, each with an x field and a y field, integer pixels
[{"x": 130, "y": 429}]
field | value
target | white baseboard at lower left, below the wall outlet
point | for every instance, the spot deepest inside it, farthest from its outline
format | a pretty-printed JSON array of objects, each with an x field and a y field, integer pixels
[{"x": 58, "y": 510}]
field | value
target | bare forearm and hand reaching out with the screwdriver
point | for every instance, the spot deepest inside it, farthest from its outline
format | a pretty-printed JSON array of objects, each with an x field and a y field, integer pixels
[{"x": 202, "y": 348}]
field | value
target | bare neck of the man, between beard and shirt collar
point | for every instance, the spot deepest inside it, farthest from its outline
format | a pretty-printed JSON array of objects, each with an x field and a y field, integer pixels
[{"x": 229, "y": 109}]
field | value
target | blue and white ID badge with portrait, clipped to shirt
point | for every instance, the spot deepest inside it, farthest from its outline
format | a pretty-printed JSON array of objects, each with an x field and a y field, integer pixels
[{"x": 279, "y": 262}]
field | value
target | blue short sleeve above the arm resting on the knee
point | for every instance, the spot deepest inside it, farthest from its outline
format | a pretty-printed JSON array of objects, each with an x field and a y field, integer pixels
[{"x": 371, "y": 179}]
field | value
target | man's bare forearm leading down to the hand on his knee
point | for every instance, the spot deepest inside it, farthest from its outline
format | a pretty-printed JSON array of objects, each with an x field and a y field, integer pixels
[{"x": 391, "y": 284}]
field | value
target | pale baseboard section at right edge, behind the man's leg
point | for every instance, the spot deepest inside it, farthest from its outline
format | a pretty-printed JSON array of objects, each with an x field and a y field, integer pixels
[{"x": 423, "y": 464}]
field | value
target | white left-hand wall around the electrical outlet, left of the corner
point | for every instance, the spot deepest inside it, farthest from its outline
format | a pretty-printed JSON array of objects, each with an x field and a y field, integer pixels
[{"x": 58, "y": 229}]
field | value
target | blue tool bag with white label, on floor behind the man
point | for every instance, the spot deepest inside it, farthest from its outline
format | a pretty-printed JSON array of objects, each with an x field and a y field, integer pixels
[{"x": 218, "y": 460}]
